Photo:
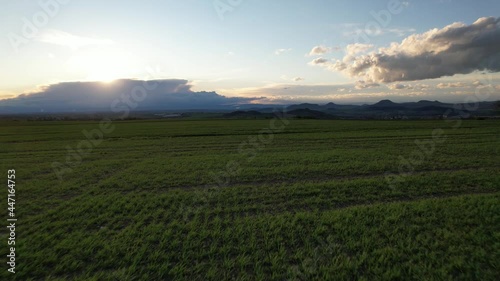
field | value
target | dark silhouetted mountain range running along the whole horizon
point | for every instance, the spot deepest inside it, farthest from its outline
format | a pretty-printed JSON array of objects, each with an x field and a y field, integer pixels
[{"x": 384, "y": 109}]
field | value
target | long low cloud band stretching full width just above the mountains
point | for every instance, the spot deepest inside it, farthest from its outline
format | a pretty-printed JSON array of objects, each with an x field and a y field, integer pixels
[{"x": 177, "y": 94}]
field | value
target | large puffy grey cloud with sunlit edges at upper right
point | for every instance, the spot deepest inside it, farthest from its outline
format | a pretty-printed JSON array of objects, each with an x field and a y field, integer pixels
[{"x": 455, "y": 49}]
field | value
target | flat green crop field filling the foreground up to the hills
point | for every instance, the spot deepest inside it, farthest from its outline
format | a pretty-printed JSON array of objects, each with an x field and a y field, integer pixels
[{"x": 254, "y": 200}]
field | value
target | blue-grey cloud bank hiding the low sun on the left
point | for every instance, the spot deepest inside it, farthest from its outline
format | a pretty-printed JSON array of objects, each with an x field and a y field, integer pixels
[{"x": 172, "y": 94}]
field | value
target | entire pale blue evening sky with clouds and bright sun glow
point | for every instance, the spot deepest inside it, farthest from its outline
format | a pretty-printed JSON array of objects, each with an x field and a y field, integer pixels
[{"x": 250, "y": 51}]
